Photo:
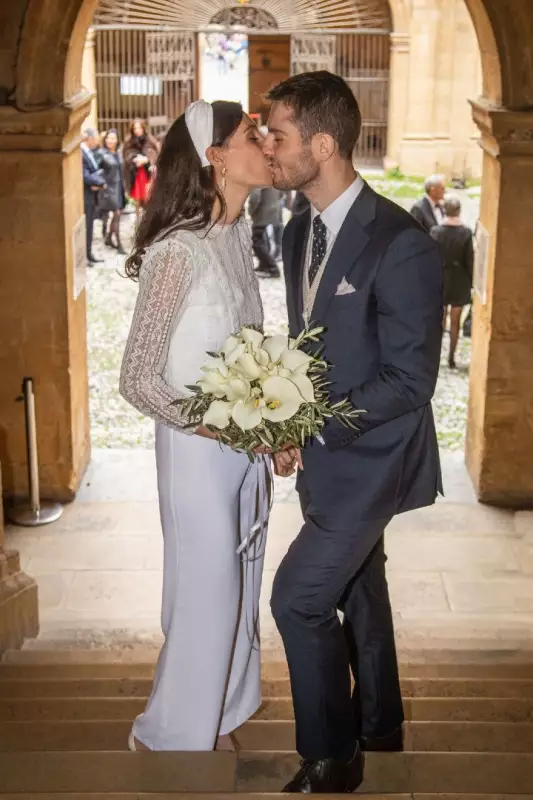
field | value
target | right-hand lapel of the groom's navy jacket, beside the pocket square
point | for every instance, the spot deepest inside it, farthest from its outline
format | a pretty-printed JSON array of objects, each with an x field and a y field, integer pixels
[{"x": 350, "y": 243}]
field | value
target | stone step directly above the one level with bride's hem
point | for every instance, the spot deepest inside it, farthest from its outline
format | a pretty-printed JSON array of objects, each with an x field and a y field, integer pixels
[{"x": 127, "y": 708}]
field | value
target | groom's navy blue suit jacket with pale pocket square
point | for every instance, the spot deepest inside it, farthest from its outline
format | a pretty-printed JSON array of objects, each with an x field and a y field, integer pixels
[{"x": 383, "y": 342}]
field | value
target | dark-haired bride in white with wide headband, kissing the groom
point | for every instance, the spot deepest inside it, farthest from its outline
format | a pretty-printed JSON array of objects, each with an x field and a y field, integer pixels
[{"x": 193, "y": 259}]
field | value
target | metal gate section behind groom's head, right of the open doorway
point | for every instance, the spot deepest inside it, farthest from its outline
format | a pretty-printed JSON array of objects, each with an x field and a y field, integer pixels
[{"x": 362, "y": 58}]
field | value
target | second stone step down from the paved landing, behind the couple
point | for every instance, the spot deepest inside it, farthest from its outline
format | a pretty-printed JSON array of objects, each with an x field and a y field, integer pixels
[{"x": 275, "y": 687}]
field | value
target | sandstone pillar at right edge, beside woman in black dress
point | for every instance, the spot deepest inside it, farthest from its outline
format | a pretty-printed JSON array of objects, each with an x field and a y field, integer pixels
[{"x": 500, "y": 419}]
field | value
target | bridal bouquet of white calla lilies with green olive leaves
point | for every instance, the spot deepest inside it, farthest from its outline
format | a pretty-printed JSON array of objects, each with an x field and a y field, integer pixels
[{"x": 265, "y": 391}]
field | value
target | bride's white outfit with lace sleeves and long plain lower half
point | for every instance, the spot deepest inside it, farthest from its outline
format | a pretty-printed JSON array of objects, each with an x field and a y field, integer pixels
[{"x": 196, "y": 289}]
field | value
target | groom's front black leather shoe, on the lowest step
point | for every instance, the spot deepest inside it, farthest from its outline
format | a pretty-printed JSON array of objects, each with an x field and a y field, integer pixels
[{"x": 328, "y": 776}]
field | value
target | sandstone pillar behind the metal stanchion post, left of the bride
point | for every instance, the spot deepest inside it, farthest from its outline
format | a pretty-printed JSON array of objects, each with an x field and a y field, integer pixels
[{"x": 42, "y": 311}]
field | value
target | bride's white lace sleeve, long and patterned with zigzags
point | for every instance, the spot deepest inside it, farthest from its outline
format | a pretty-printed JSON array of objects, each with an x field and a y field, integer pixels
[{"x": 165, "y": 281}]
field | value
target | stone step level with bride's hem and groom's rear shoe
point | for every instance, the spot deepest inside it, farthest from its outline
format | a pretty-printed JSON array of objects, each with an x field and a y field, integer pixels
[{"x": 271, "y": 735}]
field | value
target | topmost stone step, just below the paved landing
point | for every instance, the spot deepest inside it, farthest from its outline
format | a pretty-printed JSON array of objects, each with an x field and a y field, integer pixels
[{"x": 138, "y": 661}]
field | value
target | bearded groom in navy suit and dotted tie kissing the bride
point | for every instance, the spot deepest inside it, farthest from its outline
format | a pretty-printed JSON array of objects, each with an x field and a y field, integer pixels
[{"x": 360, "y": 266}]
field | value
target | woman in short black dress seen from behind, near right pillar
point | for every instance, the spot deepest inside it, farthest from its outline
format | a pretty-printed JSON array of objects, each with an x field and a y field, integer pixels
[{"x": 456, "y": 243}]
